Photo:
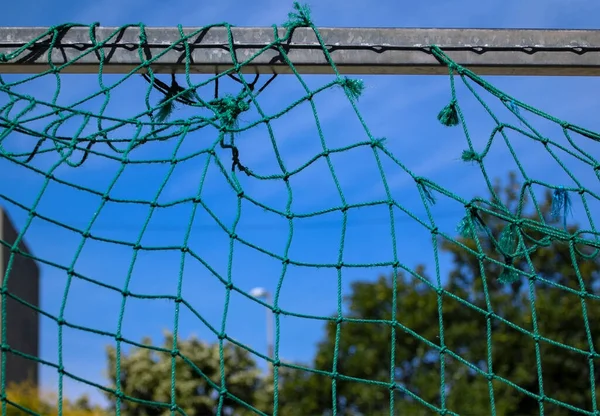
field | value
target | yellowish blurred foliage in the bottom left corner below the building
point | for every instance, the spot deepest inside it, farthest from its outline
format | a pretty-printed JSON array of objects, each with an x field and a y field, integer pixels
[{"x": 28, "y": 396}]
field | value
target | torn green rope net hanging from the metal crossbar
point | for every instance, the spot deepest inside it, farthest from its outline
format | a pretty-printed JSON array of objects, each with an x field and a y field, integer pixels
[{"x": 501, "y": 239}]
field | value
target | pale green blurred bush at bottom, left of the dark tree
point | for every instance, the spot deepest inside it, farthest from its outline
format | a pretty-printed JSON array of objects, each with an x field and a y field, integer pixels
[{"x": 145, "y": 375}]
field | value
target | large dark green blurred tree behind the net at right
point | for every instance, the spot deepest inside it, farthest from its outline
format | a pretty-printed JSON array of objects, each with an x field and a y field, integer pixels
[{"x": 447, "y": 343}]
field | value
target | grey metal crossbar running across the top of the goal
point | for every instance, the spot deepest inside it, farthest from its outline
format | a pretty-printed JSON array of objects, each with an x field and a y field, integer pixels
[{"x": 354, "y": 50}]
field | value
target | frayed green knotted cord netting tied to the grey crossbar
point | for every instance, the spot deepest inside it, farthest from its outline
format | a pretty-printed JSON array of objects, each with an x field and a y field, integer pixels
[{"x": 513, "y": 243}]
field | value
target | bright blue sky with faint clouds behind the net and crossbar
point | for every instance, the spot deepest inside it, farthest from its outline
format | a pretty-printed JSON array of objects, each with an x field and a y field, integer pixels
[{"x": 401, "y": 108}]
